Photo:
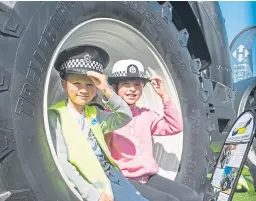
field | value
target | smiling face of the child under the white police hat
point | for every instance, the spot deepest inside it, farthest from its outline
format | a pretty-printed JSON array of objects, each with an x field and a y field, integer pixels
[{"x": 130, "y": 90}]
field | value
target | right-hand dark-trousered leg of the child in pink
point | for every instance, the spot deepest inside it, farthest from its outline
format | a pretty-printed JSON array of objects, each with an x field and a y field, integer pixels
[{"x": 174, "y": 188}]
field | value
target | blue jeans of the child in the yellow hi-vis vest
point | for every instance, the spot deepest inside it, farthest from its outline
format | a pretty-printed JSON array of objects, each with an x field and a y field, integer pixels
[{"x": 122, "y": 189}]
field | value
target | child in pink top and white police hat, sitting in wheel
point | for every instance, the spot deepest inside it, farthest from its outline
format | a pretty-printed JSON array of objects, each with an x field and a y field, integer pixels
[{"x": 131, "y": 145}]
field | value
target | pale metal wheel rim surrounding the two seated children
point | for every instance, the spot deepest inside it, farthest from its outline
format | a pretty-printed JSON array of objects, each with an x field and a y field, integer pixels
[{"x": 112, "y": 35}]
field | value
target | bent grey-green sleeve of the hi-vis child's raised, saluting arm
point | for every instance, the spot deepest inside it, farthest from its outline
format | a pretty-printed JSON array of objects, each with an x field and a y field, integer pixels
[{"x": 119, "y": 116}]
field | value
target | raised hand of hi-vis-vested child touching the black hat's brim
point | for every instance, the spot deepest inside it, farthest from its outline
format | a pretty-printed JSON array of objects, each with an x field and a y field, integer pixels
[{"x": 100, "y": 81}]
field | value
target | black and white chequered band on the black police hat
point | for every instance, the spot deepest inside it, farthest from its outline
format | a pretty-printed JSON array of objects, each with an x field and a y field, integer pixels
[{"x": 81, "y": 63}]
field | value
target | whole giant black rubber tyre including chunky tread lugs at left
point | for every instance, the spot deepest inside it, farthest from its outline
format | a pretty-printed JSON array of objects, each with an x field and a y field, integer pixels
[{"x": 29, "y": 33}]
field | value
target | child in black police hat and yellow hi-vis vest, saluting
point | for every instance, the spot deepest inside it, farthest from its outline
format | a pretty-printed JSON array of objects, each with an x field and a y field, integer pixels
[{"x": 77, "y": 128}]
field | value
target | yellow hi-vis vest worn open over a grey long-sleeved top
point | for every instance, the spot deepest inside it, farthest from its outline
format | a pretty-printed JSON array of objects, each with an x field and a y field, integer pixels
[{"x": 80, "y": 153}]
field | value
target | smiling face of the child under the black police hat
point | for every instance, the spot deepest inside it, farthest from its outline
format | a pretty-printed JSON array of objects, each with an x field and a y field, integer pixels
[{"x": 79, "y": 88}]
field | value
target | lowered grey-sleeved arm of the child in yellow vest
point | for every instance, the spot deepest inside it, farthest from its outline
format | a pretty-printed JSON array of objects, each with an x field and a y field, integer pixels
[{"x": 86, "y": 190}]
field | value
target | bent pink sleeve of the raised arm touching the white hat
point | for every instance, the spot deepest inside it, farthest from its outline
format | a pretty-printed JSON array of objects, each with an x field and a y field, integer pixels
[{"x": 169, "y": 124}]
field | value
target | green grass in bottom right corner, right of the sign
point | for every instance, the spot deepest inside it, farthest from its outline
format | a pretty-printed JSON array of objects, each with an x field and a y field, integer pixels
[{"x": 247, "y": 196}]
